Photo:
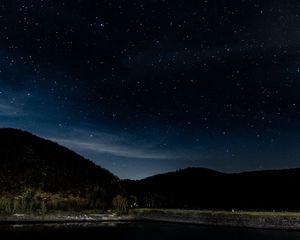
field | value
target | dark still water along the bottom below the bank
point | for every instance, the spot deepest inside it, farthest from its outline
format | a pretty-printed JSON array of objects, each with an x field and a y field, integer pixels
[{"x": 137, "y": 230}]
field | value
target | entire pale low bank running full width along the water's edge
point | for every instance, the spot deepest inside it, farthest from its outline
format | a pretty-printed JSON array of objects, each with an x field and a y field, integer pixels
[{"x": 243, "y": 219}]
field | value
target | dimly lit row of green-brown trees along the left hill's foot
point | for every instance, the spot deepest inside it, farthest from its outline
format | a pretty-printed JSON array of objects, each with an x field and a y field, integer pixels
[{"x": 37, "y": 202}]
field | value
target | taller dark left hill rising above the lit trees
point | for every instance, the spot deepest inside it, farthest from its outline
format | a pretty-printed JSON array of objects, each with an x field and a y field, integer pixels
[{"x": 42, "y": 167}]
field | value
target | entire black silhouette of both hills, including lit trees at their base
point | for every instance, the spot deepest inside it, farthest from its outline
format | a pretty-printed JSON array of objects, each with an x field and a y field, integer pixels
[{"x": 40, "y": 175}]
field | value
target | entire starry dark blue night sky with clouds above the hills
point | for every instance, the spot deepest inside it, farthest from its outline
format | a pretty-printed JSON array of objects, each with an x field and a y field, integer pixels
[{"x": 149, "y": 86}]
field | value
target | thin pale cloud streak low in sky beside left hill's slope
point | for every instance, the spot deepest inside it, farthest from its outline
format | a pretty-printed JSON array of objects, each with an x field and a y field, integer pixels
[{"x": 87, "y": 141}]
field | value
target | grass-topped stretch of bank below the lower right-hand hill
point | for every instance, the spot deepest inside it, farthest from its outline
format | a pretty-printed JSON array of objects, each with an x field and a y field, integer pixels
[{"x": 243, "y": 219}]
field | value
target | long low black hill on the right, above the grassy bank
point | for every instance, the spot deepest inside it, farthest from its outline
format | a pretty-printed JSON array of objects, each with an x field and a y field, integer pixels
[{"x": 206, "y": 189}]
